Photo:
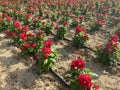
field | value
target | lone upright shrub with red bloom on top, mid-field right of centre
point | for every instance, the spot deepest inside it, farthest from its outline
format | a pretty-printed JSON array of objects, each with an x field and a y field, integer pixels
[{"x": 80, "y": 37}]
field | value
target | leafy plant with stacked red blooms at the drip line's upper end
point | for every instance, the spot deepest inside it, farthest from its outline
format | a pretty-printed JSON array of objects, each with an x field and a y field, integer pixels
[{"x": 47, "y": 57}]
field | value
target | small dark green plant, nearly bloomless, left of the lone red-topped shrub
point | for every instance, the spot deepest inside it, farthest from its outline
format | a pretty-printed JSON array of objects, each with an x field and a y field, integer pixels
[{"x": 61, "y": 32}]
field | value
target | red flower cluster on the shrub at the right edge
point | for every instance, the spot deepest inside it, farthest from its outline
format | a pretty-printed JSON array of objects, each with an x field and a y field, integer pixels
[{"x": 112, "y": 44}]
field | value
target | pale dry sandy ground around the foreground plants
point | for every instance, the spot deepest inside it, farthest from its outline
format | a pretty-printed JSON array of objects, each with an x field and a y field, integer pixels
[{"x": 17, "y": 72}]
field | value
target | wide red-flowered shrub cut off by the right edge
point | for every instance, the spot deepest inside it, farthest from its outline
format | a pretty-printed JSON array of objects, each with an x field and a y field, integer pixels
[{"x": 109, "y": 52}]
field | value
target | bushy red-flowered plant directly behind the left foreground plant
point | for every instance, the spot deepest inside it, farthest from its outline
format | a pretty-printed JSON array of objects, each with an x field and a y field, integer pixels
[{"x": 33, "y": 43}]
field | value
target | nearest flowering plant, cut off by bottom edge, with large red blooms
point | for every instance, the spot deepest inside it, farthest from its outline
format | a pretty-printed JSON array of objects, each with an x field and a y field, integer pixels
[{"x": 81, "y": 77}]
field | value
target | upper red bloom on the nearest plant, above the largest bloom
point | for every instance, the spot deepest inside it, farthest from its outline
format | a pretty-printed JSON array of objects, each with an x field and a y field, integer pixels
[{"x": 78, "y": 63}]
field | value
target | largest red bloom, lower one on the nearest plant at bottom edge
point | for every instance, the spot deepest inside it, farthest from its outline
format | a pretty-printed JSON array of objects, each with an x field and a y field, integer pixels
[{"x": 85, "y": 81}]
